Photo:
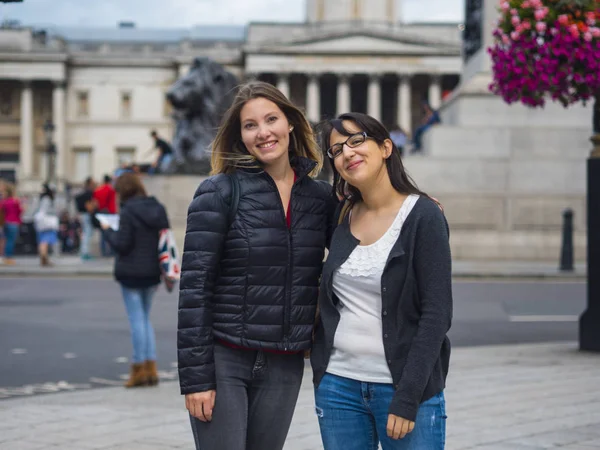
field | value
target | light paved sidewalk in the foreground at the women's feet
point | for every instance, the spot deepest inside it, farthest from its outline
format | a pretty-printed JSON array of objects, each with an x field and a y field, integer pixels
[{"x": 523, "y": 397}]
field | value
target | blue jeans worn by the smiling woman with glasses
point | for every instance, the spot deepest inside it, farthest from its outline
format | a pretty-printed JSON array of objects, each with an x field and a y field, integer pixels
[{"x": 353, "y": 416}]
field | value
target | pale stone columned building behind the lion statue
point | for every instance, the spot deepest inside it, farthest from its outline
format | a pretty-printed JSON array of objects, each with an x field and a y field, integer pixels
[{"x": 104, "y": 89}]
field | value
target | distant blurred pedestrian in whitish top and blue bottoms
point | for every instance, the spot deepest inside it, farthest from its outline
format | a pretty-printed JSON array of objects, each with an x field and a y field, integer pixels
[{"x": 46, "y": 224}]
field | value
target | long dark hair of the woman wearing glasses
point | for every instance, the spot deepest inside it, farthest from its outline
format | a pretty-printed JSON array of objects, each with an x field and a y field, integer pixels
[{"x": 399, "y": 178}]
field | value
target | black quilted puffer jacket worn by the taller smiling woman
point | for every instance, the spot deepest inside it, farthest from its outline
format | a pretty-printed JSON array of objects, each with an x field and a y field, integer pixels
[{"x": 254, "y": 283}]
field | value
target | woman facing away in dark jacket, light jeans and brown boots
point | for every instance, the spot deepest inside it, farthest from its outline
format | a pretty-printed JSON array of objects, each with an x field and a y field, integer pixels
[{"x": 137, "y": 270}]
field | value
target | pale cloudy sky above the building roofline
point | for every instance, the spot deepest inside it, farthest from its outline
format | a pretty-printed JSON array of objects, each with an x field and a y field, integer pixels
[{"x": 185, "y": 13}]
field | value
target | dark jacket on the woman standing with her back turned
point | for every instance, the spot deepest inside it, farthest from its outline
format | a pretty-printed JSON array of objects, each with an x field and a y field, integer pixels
[{"x": 136, "y": 242}]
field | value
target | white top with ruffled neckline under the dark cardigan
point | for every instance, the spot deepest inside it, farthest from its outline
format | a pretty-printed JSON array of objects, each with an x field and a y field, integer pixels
[{"x": 358, "y": 343}]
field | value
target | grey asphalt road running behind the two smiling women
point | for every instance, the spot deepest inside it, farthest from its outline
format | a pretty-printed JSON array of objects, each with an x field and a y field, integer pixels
[{"x": 60, "y": 334}]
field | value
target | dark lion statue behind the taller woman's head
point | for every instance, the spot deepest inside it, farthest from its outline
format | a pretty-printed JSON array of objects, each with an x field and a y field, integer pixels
[{"x": 199, "y": 99}]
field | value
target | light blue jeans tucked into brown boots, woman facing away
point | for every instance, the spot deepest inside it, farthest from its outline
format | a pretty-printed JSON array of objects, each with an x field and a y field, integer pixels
[{"x": 138, "y": 303}]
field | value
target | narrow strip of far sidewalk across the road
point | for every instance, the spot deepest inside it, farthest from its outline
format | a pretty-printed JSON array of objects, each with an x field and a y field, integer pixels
[{"x": 73, "y": 266}]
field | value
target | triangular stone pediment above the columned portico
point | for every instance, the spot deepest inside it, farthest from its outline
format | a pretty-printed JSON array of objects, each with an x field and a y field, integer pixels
[{"x": 359, "y": 43}]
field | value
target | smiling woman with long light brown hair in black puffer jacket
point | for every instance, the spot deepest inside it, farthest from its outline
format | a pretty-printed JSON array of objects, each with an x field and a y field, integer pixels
[{"x": 250, "y": 273}]
